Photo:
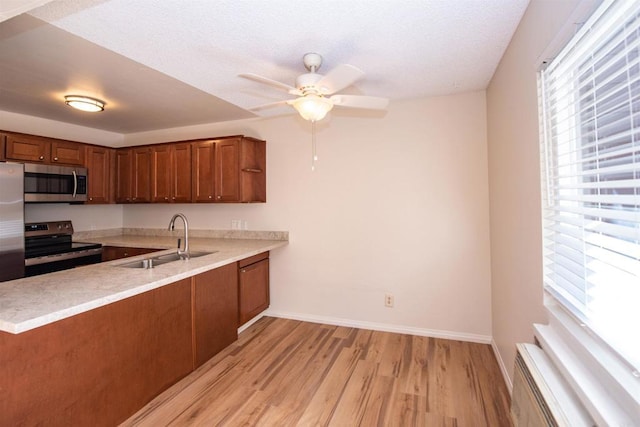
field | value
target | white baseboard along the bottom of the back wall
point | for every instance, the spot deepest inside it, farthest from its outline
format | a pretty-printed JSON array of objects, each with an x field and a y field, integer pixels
[{"x": 384, "y": 327}]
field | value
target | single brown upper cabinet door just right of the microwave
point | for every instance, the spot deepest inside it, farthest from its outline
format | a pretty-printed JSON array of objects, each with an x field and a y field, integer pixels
[{"x": 99, "y": 165}]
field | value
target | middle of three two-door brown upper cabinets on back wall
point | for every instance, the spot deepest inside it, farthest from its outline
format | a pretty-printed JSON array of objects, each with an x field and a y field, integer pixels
[{"x": 170, "y": 173}]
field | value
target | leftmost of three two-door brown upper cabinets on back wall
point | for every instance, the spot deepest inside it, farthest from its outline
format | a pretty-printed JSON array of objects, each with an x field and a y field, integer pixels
[{"x": 133, "y": 175}]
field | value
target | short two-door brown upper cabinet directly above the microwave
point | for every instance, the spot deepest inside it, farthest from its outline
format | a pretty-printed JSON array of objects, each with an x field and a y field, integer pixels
[{"x": 30, "y": 148}]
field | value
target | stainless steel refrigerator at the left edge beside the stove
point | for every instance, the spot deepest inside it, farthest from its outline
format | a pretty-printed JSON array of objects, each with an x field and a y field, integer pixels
[{"x": 11, "y": 221}]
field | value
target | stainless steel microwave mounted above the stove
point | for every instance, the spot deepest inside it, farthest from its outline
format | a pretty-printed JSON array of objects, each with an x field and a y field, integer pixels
[{"x": 53, "y": 183}]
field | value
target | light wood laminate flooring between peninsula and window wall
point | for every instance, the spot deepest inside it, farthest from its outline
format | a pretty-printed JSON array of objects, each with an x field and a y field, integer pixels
[{"x": 289, "y": 373}]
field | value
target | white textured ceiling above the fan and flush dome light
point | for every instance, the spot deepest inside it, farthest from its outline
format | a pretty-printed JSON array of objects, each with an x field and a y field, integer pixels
[{"x": 169, "y": 63}]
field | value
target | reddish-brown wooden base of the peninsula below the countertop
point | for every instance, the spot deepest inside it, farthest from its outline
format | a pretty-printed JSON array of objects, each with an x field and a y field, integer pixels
[{"x": 99, "y": 367}]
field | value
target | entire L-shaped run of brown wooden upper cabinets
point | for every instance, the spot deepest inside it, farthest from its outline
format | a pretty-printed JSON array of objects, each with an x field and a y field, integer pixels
[{"x": 229, "y": 169}]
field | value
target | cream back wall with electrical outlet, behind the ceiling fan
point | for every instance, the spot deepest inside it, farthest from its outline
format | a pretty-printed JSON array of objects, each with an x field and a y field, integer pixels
[{"x": 398, "y": 203}]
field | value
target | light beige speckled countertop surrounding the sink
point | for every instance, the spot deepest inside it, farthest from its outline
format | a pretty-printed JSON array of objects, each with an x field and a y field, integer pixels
[{"x": 36, "y": 301}]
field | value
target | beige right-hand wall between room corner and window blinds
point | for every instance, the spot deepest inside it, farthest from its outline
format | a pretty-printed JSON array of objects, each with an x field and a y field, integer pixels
[{"x": 514, "y": 166}]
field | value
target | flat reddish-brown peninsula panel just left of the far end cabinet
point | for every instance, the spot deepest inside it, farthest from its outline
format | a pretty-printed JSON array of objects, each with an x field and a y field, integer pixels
[{"x": 215, "y": 311}]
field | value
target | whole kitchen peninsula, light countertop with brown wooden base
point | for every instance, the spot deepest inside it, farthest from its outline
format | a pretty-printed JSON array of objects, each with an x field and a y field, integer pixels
[{"x": 93, "y": 344}]
